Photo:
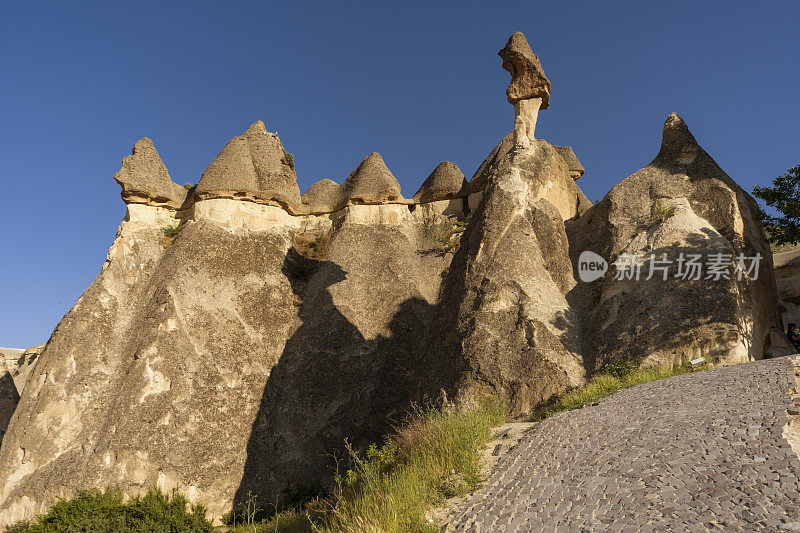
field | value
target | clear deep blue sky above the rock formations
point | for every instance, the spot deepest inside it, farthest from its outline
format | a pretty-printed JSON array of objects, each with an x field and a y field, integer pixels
[{"x": 419, "y": 82}]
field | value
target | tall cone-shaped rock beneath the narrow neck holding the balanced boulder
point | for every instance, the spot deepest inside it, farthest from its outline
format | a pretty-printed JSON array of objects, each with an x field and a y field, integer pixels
[{"x": 504, "y": 322}]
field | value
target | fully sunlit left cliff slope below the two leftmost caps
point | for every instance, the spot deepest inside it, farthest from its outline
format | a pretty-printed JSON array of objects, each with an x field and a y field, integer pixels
[{"x": 156, "y": 375}]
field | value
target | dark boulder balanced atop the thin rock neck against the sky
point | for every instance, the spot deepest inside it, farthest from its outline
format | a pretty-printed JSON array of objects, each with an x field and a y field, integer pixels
[{"x": 527, "y": 76}]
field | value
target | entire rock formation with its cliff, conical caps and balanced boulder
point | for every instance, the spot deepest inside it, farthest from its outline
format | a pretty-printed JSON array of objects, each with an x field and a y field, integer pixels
[{"x": 239, "y": 332}]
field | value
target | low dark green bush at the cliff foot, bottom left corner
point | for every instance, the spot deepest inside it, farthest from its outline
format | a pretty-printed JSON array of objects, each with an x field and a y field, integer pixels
[{"x": 106, "y": 512}]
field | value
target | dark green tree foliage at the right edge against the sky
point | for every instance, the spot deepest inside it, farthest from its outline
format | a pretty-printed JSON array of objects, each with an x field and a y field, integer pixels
[{"x": 784, "y": 197}]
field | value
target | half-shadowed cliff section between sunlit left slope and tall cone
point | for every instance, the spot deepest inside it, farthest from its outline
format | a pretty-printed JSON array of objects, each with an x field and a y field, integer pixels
[{"x": 349, "y": 368}]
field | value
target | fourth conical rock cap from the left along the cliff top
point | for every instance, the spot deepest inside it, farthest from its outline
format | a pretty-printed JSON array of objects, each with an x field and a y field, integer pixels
[{"x": 372, "y": 183}]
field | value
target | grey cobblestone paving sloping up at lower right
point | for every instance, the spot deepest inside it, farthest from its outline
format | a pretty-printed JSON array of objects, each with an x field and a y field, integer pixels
[{"x": 697, "y": 452}]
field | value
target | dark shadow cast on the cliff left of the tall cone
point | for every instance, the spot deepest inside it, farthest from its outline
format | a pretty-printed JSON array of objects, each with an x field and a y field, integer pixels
[{"x": 330, "y": 384}]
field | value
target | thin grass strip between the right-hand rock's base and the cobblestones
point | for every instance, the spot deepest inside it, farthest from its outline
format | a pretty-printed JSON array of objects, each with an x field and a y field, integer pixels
[{"x": 608, "y": 383}]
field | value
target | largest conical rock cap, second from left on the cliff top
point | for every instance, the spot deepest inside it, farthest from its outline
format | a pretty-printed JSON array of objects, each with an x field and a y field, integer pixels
[{"x": 253, "y": 166}]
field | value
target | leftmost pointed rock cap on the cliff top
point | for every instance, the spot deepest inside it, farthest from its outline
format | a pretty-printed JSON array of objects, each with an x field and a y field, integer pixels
[{"x": 145, "y": 180}]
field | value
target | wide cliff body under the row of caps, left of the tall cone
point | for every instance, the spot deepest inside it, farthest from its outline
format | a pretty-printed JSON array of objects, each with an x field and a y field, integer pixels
[{"x": 175, "y": 359}]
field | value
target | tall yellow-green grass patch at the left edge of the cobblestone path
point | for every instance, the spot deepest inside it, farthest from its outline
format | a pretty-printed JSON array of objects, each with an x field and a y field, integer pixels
[{"x": 433, "y": 456}]
